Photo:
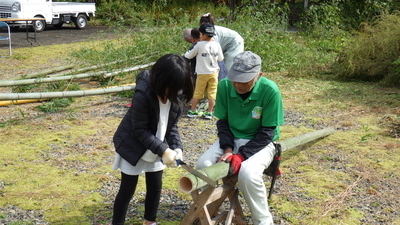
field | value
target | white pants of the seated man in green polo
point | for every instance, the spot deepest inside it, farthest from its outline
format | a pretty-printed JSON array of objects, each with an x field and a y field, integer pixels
[{"x": 250, "y": 178}]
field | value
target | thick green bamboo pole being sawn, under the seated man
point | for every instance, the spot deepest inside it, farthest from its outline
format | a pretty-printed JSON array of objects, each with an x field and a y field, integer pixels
[{"x": 190, "y": 182}]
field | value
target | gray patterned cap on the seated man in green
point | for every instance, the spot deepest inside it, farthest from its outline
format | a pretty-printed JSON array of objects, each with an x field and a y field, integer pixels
[{"x": 246, "y": 65}]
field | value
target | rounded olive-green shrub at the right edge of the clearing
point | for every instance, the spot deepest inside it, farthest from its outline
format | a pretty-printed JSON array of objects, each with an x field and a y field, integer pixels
[{"x": 373, "y": 55}]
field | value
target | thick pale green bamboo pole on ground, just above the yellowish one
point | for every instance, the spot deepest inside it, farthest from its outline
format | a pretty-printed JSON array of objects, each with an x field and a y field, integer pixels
[{"x": 64, "y": 94}]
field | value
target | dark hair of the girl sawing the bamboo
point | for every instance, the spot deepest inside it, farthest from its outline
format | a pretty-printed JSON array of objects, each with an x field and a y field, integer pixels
[{"x": 171, "y": 77}]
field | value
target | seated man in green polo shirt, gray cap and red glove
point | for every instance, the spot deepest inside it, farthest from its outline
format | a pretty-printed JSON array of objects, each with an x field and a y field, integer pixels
[{"x": 249, "y": 110}]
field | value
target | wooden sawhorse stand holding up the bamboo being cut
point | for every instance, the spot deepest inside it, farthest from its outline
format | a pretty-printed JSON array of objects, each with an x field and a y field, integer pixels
[{"x": 206, "y": 204}]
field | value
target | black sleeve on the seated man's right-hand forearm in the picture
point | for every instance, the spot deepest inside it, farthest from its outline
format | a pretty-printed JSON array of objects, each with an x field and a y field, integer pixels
[{"x": 263, "y": 137}]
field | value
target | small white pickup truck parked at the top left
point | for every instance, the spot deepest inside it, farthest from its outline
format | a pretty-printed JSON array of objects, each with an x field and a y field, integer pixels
[{"x": 54, "y": 13}]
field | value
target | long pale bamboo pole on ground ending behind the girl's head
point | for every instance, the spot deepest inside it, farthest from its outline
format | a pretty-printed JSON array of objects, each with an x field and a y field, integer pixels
[{"x": 6, "y": 83}]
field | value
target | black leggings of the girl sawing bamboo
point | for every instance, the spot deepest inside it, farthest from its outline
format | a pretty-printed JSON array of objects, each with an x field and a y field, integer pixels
[{"x": 126, "y": 191}]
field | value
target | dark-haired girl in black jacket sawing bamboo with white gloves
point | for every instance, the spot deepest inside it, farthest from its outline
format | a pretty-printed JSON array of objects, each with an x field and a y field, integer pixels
[{"x": 147, "y": 138}]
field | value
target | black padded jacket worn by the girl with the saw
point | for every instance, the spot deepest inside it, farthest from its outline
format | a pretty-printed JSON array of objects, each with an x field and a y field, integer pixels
[{"x": 137, "y": 130}]
